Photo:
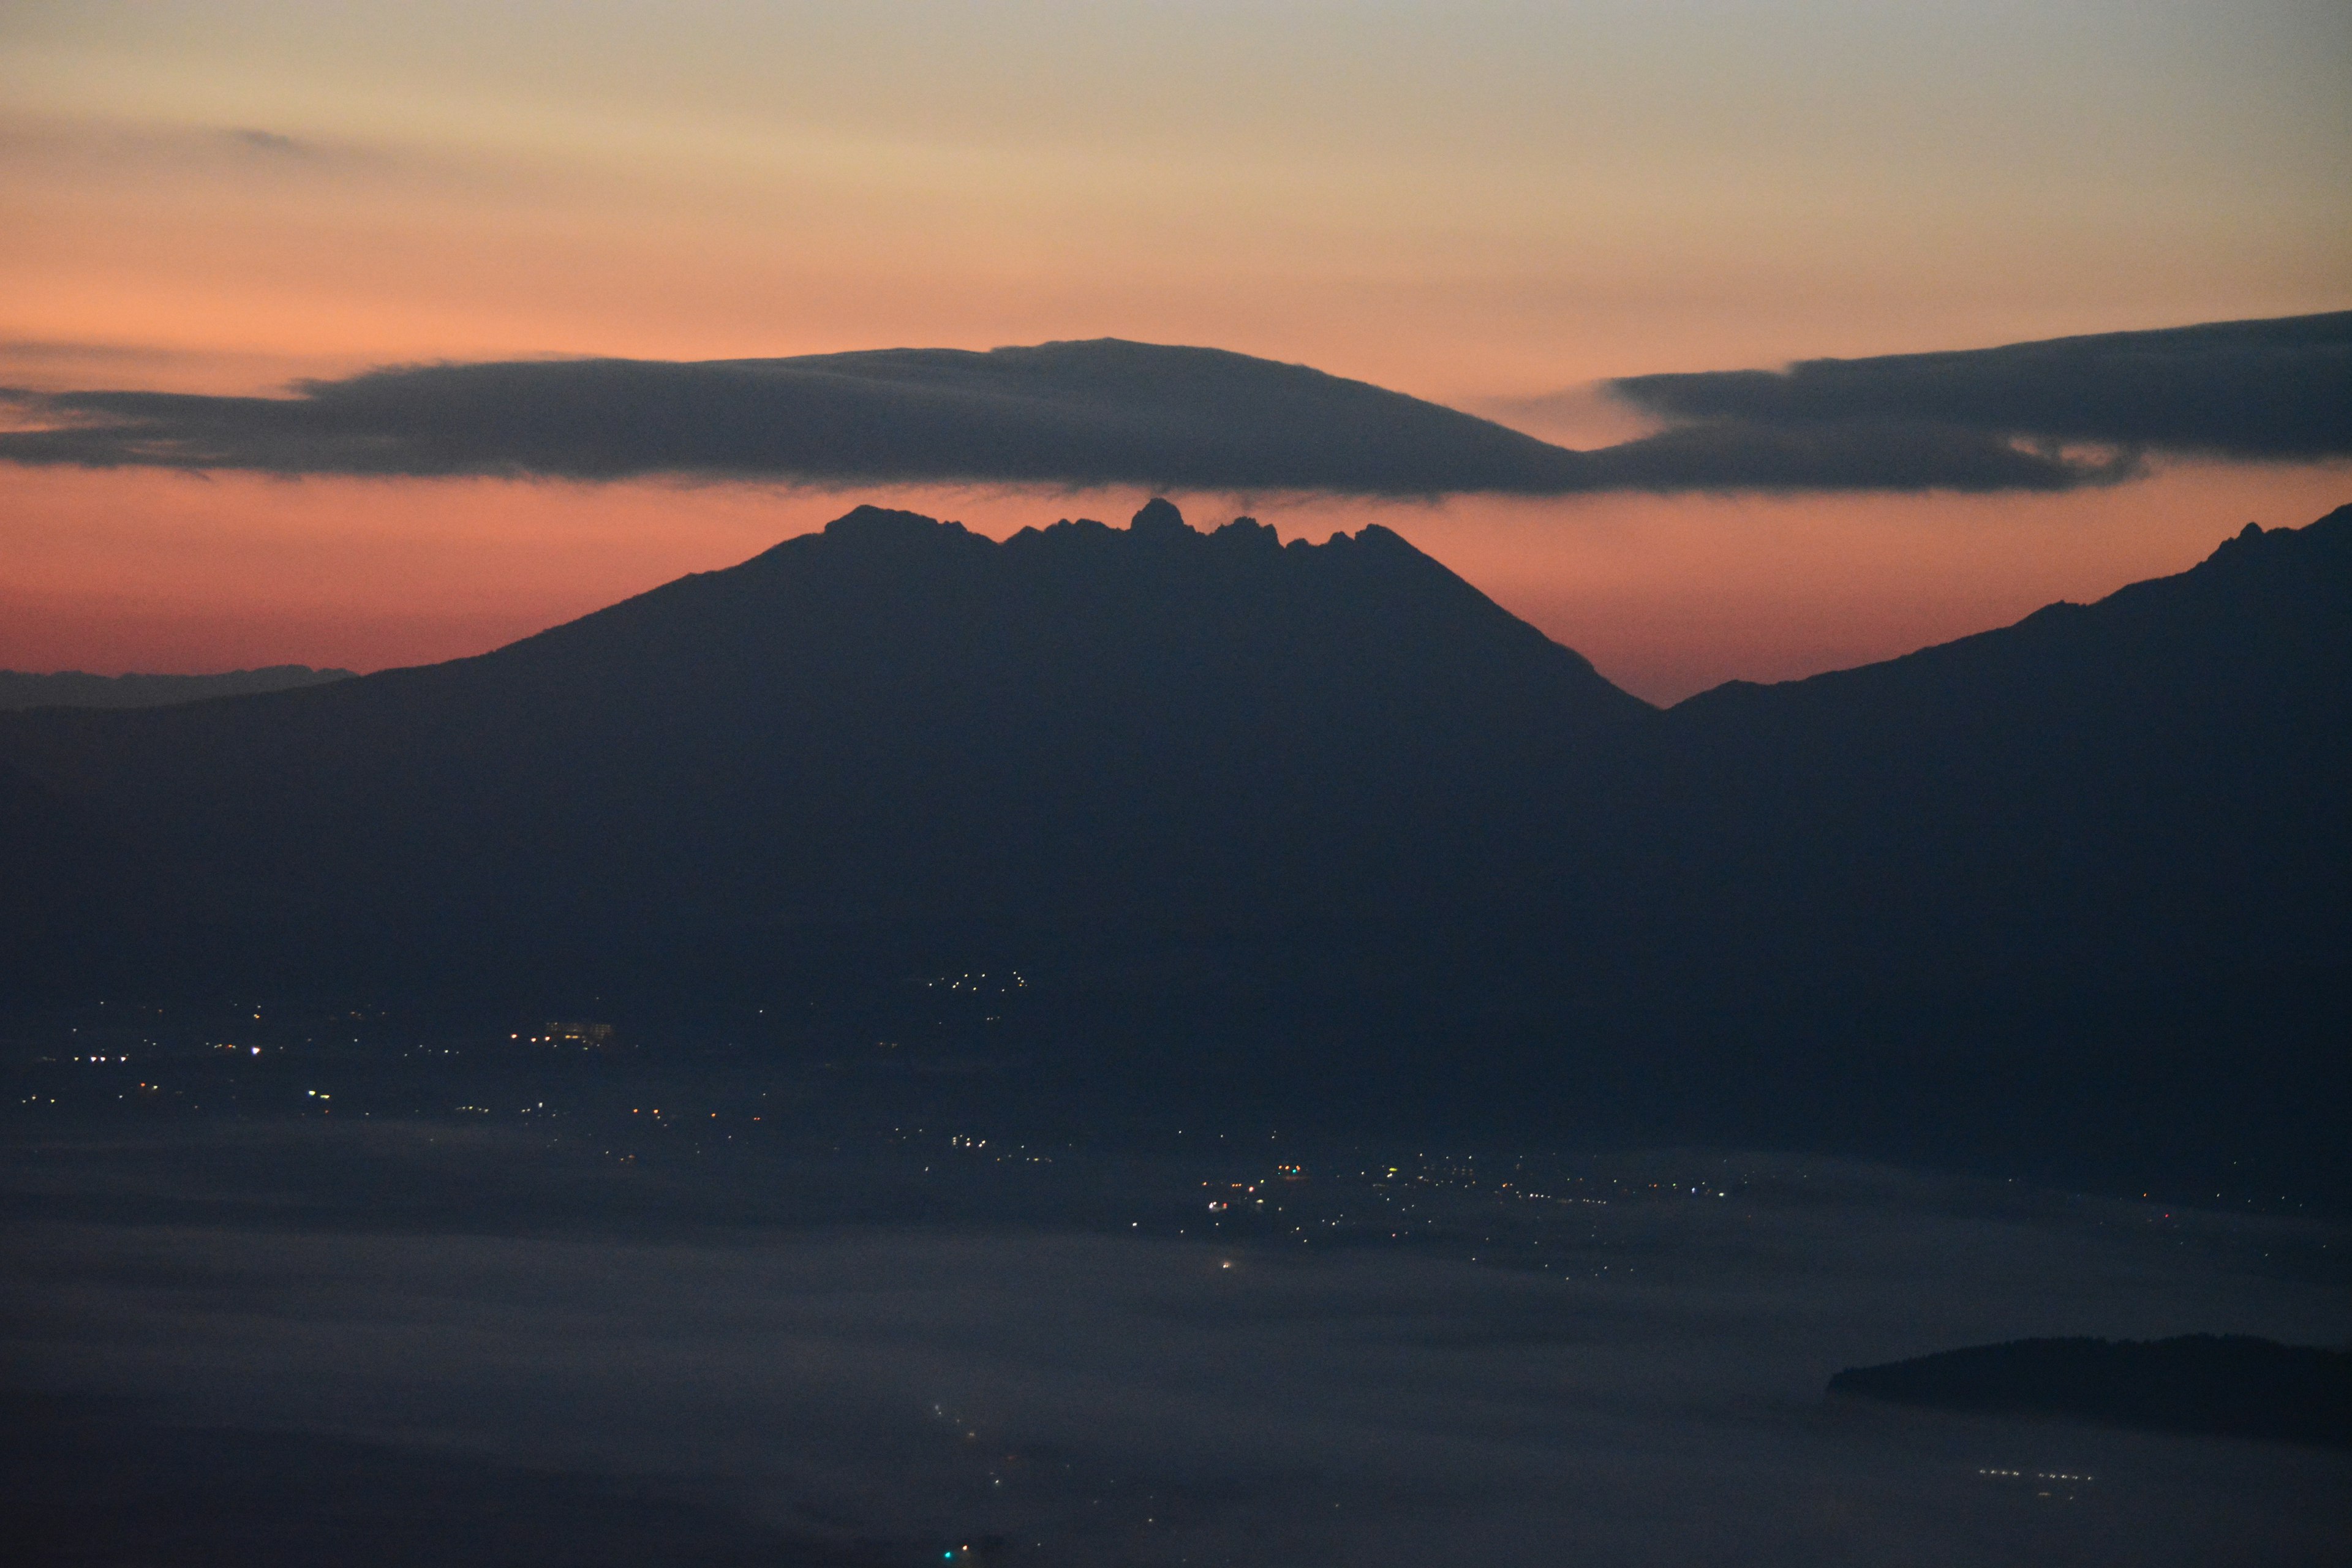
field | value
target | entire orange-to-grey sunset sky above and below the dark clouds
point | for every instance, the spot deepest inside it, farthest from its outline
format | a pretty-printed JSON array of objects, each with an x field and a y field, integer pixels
[{"x": 1471, "y": 203}]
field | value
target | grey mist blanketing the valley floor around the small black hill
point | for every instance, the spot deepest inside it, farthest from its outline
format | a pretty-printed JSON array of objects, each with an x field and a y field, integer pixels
[{"x": 375, "y": 1343}]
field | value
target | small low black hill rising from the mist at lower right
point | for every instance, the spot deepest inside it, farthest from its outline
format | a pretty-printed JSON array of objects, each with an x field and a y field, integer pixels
[{"x": 2224, "y": 1386}]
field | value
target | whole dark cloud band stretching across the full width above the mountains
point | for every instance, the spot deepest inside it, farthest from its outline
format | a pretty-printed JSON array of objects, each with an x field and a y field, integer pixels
[{"x": 1114, "y": 413}]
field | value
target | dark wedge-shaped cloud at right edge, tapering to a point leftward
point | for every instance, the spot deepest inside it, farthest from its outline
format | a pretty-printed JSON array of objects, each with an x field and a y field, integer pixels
[{"x": 2278, "y": 389}]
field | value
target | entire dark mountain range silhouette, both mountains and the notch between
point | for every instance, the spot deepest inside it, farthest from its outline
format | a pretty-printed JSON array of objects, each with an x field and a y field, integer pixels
[{"x": 2071, "y": 885}]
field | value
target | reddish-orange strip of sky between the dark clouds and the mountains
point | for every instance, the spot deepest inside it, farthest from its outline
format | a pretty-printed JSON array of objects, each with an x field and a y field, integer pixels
[{"x": 1666, "y": 594}]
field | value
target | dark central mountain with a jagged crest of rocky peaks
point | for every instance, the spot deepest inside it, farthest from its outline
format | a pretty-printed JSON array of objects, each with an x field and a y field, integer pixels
[{"x": 888, "y": 721}]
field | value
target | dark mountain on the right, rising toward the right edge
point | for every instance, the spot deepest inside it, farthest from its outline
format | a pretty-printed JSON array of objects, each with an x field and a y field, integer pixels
[{"x": 2080, "y": 883}]
